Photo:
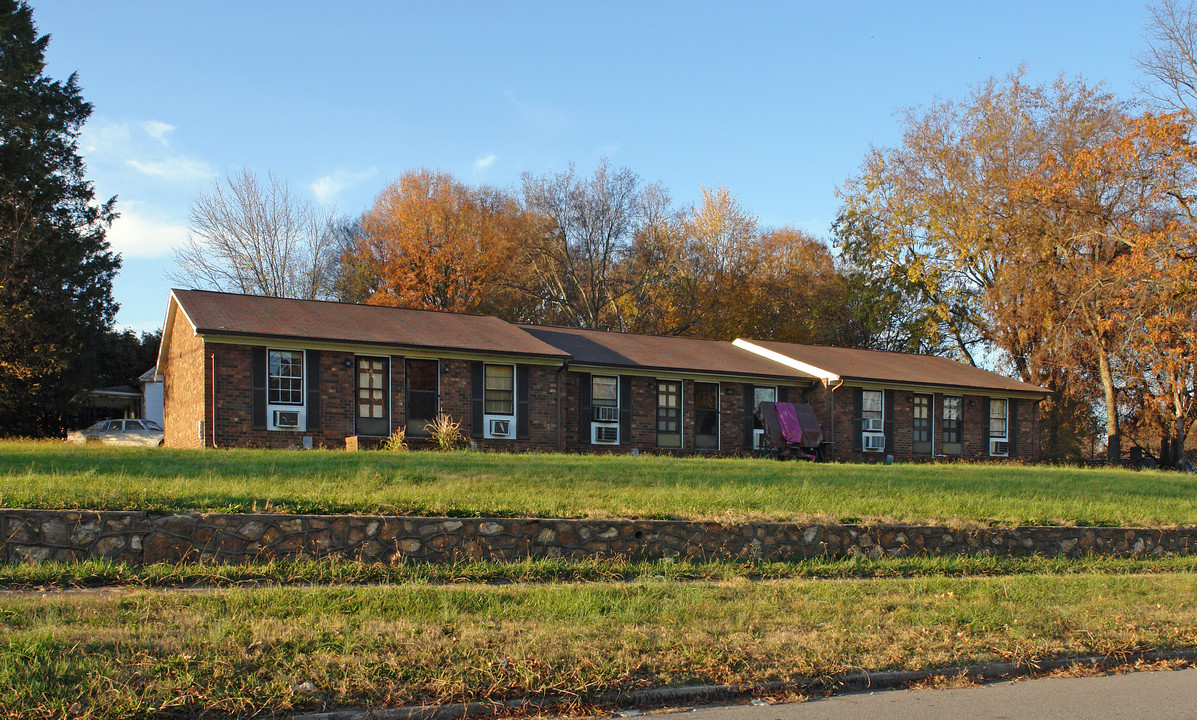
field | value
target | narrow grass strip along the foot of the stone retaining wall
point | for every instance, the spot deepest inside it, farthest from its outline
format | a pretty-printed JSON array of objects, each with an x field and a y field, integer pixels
[{"x": 104, "y": 573}]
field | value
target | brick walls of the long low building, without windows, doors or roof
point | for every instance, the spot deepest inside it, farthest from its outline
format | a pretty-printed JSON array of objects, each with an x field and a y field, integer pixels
[{"x": 210, "y": 402}]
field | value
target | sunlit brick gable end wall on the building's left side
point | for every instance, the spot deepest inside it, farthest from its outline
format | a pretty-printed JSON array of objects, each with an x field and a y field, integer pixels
[{"x": 184, "y": 393}]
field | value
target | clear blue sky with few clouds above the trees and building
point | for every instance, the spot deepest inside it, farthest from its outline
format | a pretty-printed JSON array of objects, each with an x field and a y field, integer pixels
[{"x": 779, "y": 101}]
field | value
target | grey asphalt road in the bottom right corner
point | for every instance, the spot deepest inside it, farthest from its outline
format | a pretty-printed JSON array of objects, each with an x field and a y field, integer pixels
[{"x": 1138, "y": 695}]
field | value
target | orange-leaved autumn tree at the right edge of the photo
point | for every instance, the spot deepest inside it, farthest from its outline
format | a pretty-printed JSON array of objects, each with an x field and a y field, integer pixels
[{"x": 1116, "y": 263}]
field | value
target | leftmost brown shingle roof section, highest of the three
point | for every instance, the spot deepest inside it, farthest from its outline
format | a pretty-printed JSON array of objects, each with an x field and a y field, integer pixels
[{"x": 224, "y": 314}]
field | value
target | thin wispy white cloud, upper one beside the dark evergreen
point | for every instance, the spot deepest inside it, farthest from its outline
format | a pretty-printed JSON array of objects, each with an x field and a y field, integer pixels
[{"x": 145, "y": 148}]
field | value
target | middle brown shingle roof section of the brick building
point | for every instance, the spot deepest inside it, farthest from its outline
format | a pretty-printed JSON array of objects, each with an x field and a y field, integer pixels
[{"x": 653, "y": 352}]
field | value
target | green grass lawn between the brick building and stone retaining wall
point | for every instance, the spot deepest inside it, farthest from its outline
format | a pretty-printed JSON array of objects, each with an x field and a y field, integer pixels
[{"x": 56, "y": 475}]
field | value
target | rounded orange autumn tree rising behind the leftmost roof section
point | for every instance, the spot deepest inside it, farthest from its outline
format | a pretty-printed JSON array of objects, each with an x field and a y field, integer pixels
[{"x": 435, "y": 243}]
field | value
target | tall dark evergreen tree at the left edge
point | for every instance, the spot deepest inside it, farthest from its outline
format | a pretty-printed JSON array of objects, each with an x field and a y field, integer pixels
[{"x": 56, "y": 267}]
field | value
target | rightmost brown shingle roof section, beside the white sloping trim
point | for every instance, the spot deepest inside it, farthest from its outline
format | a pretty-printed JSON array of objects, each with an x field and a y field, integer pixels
[{"x": 897, "y": 368}]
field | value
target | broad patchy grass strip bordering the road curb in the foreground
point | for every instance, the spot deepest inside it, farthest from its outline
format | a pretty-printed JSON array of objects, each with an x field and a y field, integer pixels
[{"x": 244, "y": 651}]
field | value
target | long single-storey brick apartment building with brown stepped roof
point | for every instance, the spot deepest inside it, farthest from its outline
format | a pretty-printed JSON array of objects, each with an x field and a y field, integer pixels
[{"x": 274, "y": 373}]
